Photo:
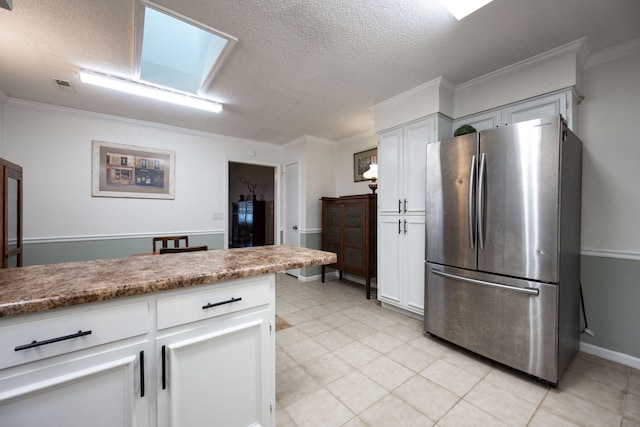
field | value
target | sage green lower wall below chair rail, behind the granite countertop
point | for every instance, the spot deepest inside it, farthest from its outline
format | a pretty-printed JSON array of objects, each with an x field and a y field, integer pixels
[{"x": 84, "y": 250}]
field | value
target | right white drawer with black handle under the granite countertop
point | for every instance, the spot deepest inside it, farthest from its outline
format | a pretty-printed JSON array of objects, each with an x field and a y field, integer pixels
[{"x": 216, "y": 300}]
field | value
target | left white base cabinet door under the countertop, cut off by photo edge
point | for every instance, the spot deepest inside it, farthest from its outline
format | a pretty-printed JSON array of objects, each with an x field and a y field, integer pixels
[{"x": 102, "y": 390}]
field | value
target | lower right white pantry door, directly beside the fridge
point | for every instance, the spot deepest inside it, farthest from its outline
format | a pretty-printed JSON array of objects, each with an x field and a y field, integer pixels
[{"x": 414, "y": 270}]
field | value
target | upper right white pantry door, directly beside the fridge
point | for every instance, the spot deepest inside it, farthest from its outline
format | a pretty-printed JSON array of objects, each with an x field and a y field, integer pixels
[{"x": 416, "y": 138}]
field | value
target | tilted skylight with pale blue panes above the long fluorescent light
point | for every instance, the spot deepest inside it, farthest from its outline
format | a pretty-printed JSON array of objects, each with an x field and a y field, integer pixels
[{"x": 179, "y": 53}]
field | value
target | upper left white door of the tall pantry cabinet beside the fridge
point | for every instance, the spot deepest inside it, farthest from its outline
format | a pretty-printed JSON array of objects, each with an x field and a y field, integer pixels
[{"x": 389, "y": 158}]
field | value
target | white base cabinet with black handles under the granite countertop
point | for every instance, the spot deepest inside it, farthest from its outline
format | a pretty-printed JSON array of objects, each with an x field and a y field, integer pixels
[{"x": 203, "y": 355}]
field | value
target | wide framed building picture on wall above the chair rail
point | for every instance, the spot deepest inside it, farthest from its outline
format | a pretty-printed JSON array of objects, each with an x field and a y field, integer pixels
[{"x": 130, "y": 171}]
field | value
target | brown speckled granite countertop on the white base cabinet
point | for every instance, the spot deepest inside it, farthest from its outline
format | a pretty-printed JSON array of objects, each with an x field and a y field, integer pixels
[{"x": 44, "y": 287}]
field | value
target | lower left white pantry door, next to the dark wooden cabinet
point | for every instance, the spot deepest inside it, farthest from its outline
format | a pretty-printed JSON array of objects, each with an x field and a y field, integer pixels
[{"x": 389, "y": 267}]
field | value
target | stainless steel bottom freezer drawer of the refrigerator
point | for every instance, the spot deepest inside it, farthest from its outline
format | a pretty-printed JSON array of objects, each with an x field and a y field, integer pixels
[{"x": 511, "y": 321}]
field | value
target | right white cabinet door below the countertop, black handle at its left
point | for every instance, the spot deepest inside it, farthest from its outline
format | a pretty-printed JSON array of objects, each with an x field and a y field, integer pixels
[{"x": 218, "y": 375}]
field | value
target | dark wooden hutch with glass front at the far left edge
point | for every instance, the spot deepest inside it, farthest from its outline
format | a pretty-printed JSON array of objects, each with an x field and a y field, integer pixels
[{"x": 11, "y": 199}]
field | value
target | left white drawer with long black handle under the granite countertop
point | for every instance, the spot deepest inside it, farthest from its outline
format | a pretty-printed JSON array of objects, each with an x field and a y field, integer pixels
[{"x": 43, "y": 335}]
